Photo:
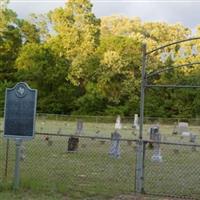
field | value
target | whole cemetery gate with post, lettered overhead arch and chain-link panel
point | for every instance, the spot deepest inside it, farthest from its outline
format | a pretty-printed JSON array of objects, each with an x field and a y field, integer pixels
[{"x": 142, "y": 155}]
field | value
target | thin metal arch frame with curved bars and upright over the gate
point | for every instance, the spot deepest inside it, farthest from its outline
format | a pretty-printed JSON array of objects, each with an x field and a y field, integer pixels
[{"x": 145, "y": 76}]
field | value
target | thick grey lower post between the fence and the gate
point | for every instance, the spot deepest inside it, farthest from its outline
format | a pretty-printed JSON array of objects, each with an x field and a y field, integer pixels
[{"x": 139, "y": 178}]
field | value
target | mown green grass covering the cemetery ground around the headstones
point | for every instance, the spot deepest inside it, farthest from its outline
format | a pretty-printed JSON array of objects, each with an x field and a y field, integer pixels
[{"x": 52, "y": 172}]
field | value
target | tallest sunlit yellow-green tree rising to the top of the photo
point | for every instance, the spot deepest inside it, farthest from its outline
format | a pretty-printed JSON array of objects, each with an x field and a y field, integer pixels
[{"x": 77, "y": 37}]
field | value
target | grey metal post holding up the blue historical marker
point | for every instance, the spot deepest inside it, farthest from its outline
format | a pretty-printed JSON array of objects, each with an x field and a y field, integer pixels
[{"x": 17, "y": 163}]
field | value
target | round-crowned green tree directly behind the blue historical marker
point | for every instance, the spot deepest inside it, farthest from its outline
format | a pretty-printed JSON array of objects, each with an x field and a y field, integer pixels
[{"x": 42, "y": 68}]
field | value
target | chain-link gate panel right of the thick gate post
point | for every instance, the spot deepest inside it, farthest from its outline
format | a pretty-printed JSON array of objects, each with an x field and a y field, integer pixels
[{"x": 176, "y": 174}]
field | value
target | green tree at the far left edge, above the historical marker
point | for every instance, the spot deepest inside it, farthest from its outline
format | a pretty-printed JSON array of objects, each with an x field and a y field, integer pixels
[{"x": 10, "y": 43}]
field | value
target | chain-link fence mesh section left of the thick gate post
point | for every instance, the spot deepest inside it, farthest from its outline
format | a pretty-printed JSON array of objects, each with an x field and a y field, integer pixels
[{"x": 48, "y": 165}]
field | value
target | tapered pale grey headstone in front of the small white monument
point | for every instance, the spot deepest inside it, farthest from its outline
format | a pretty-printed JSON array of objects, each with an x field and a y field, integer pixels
[{"x": 115, "y": 145}]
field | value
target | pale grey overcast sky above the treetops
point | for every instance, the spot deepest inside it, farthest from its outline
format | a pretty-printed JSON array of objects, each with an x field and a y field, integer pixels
[{"x": 171, "y": 11}]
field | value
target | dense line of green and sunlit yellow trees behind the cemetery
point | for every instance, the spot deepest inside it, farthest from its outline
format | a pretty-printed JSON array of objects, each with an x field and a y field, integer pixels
[{"x": 83, "y": 65}]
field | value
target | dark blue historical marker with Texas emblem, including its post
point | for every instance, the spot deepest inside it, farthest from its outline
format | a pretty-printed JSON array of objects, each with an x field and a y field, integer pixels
[{"x": 19, "y": 118}]
